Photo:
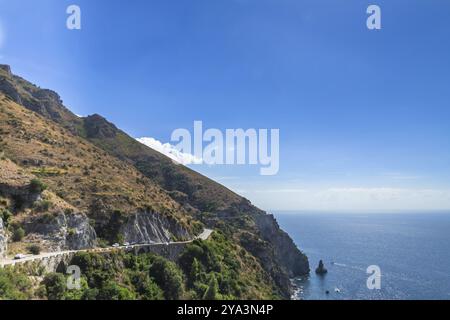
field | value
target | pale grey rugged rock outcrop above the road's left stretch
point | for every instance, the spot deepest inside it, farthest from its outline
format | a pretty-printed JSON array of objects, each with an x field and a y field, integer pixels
[{"x": 63, "y": 231}]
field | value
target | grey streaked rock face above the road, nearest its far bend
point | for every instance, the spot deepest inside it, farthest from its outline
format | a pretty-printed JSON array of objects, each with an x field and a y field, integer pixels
[{"x": 153, "y": 227}]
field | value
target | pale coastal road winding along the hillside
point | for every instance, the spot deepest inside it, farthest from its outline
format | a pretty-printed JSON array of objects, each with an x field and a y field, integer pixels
[{"x": 7, "y": 262}]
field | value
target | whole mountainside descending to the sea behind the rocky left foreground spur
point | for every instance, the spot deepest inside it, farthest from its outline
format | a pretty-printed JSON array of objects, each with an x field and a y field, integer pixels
[{"x": 99, "y": 169}]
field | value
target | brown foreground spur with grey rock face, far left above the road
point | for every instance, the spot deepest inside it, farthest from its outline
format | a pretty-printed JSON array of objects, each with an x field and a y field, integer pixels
[{"x": 36, "y": 216}]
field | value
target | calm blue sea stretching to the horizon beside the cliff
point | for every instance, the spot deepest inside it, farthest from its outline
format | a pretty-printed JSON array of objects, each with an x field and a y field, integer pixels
[{"x": 412, "y": 250}]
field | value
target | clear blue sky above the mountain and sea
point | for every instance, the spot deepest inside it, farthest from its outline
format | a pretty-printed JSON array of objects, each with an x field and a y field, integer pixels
[{"x": 363, "y": 115}]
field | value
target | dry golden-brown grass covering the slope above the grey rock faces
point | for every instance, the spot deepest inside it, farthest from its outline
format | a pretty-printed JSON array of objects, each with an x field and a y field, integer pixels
[{"x": 73, "y": 168}]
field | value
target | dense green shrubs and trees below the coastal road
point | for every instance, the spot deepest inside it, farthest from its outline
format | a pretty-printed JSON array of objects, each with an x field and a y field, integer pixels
[{"x": 213, "y": 269}]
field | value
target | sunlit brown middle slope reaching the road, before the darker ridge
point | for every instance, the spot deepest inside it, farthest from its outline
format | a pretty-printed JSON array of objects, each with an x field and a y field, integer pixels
[{"x": 111, "y": 192}]
